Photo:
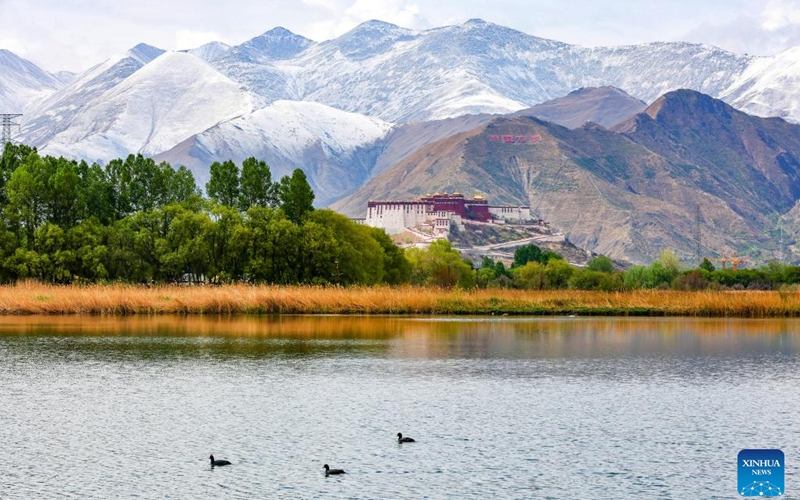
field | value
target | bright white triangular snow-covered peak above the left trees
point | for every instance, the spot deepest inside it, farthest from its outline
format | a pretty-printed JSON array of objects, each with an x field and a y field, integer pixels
[{"x": 165, "y": 102}]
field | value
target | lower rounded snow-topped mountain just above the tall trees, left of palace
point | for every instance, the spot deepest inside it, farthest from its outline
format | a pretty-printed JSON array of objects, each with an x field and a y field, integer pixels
[{"x": 335, "y": 148}]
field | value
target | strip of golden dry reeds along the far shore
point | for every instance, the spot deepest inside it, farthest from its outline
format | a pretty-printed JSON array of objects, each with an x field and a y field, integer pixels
[{"x": 34, "y": 298}]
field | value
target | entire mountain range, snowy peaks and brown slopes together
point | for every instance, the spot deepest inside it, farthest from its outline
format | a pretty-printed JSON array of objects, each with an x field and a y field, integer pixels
[{"x": 357, "y": 110}]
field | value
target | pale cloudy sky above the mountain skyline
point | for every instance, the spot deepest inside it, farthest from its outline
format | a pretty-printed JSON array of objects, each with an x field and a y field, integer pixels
[{"x": 76, "y": 34}]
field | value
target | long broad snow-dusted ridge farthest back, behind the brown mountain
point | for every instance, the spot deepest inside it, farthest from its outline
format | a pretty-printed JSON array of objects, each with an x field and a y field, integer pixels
[{"x": 400, "y": 75}]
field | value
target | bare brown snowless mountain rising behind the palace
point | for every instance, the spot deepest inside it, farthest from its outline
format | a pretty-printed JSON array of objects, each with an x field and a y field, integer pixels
[{"x": 687, "y": 161}]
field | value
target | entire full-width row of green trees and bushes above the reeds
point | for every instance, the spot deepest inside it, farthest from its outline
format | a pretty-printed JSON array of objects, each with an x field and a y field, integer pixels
[{"x": 135, "y": 220}]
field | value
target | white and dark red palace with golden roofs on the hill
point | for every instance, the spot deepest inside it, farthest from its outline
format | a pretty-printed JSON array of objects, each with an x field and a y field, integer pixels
[{"x": 435, "y": 213}]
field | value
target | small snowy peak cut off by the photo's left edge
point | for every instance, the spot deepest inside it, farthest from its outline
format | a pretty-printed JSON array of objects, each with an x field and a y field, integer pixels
[{"x": 23, "y": 83}]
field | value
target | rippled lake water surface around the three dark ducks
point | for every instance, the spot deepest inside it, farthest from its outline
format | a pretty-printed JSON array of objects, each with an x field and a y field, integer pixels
[{"x": 571, "y": 408}]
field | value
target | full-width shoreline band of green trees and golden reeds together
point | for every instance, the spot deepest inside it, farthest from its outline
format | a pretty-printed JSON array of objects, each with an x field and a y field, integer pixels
[{"x": 135, "y": 225}]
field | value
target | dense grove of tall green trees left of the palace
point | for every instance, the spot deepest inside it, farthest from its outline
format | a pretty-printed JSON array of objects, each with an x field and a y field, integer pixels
[{"x": 134, "y": 220}]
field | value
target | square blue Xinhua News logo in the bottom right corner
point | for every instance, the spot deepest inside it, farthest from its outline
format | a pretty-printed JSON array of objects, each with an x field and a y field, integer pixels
[{"x": 761, "y": 473}]
